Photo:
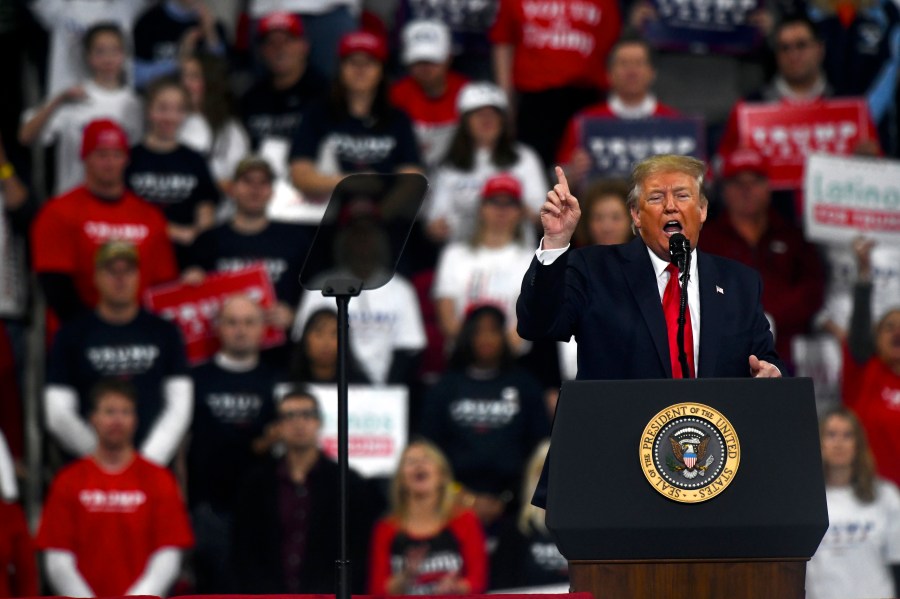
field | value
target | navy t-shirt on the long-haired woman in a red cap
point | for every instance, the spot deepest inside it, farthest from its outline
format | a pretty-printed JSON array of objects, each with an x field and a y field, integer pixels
[{"x": 358, "y": 144}]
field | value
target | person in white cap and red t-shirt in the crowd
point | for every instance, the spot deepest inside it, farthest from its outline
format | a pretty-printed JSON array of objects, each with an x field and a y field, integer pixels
[{"x": 428, "y": 94}]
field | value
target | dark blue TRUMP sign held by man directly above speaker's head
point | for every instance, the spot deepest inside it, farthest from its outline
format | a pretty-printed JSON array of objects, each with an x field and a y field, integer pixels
[{"x": 615, "y": 145}]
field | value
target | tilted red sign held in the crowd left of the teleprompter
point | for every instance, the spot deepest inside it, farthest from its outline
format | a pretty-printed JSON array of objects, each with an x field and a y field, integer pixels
[{"x": 194, "y": 307}]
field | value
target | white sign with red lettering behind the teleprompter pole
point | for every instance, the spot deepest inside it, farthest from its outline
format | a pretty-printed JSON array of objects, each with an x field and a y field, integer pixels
[{"x": 378, "y": 424}]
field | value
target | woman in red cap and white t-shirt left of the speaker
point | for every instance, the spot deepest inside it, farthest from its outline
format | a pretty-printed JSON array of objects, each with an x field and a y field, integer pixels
[{"x": 489, "y": 268}]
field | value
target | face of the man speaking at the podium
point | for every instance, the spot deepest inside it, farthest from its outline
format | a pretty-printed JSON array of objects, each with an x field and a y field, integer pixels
[{"x": 669, "y": 203}]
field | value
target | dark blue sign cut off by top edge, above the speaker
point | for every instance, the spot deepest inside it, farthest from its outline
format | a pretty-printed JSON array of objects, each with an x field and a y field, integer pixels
[{"x": 706, "y": 25}]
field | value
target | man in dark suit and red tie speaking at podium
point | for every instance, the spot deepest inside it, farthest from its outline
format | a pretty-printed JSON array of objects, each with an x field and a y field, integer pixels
[{"x": 611, "y": 297}]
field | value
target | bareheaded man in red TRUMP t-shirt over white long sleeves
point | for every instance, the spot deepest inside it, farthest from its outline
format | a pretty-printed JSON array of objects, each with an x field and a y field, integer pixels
[{"x": 113, "y": 523}]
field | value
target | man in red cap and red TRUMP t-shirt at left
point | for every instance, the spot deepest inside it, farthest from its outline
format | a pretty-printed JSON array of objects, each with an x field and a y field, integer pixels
[{"x": 70, "y": 228}]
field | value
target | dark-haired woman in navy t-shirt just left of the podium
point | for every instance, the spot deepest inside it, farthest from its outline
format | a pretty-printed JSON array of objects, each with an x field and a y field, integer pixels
[{"x": 486, "y": 413}]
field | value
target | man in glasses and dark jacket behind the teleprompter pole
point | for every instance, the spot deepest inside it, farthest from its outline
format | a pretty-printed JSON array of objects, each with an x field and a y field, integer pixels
[{"x": 288, "y": 512}]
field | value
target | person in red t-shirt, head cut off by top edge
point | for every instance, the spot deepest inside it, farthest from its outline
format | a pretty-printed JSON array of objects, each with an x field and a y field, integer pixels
[{"x": 552, "y": 54}]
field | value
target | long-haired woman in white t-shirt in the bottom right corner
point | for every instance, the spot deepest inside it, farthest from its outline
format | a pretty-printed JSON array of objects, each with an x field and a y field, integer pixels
[{"x": 860, "y": 554}]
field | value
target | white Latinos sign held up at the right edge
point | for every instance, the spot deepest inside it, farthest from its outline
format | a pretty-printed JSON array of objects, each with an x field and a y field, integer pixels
[{"x": 847, "y": 197}]
